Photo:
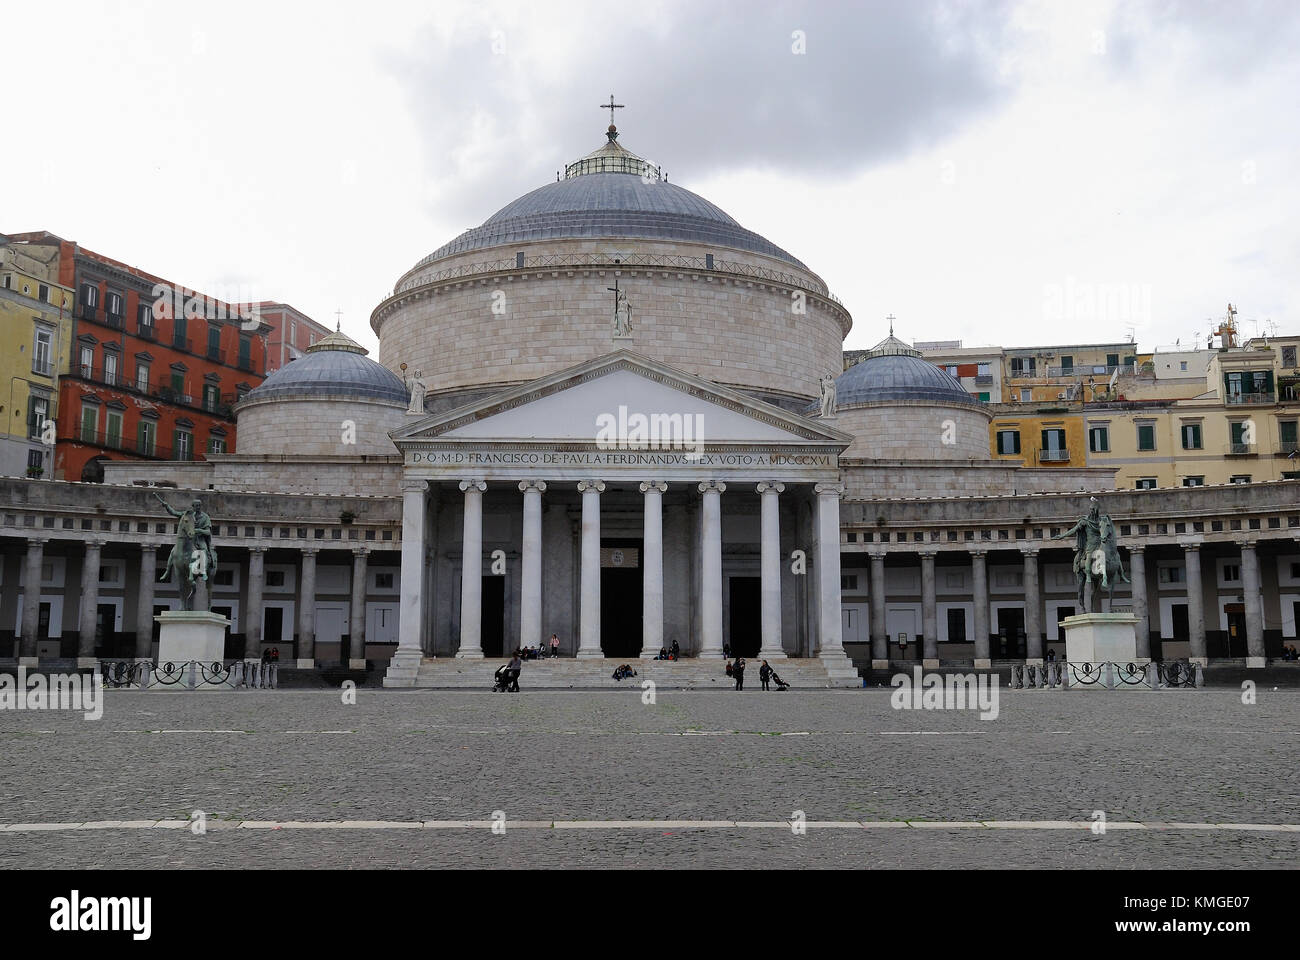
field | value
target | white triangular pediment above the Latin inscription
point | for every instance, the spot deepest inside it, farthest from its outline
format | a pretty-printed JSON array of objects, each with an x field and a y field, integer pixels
[{"x": 575, "y": 405}]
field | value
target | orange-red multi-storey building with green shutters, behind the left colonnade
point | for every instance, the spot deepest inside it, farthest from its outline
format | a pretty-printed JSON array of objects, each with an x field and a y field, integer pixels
[{"x": 155, "y": 369}]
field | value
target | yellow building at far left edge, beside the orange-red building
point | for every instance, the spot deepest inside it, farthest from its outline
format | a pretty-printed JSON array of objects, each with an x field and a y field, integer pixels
[{"x": 36, "y": 345}]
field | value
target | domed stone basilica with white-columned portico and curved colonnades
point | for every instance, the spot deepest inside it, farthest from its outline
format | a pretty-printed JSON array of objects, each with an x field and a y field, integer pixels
[{"x": 613, "y": 414}]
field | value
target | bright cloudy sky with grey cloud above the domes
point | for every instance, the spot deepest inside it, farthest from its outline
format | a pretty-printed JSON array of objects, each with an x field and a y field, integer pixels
[{"x": 1012, "y": 174}]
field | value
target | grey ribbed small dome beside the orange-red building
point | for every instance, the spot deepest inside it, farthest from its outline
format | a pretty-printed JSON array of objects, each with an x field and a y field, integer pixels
[{"x": 335, "y": 367}]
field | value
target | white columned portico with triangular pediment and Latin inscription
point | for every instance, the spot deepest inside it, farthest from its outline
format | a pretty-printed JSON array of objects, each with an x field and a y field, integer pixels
[{"x": 617, "y": 488}]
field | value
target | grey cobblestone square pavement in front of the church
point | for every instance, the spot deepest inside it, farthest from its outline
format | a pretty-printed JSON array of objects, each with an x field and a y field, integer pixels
[{"x": 1176, "y": 756}]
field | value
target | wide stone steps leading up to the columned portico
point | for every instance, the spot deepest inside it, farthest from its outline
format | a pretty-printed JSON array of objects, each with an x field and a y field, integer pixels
[{"x": 566, "y": 673}]
